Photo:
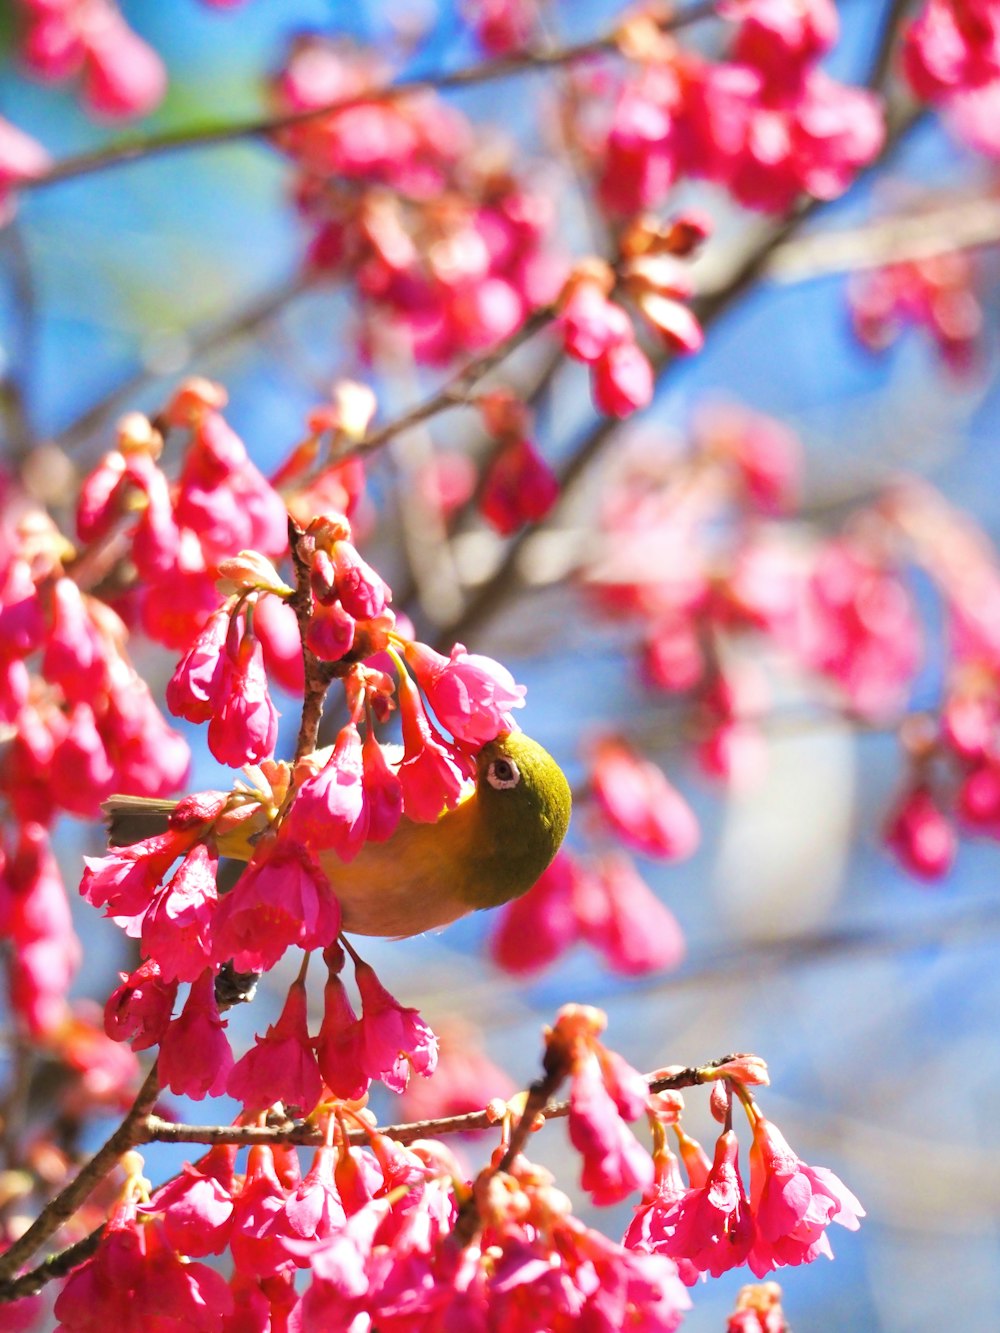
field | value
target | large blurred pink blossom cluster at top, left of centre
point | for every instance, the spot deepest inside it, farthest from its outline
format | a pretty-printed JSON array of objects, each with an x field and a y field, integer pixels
[{"x": 445, "y": 246}]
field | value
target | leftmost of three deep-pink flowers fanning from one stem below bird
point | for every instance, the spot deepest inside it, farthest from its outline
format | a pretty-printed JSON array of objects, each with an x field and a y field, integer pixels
[{"x": 282, "y": 1066}]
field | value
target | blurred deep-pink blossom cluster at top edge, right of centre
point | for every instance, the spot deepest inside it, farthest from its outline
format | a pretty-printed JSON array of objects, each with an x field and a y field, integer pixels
[{"x": 767, "y": 123}]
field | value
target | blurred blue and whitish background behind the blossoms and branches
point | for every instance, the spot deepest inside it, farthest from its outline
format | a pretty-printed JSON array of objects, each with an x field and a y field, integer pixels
[{"x": 873, "y": 998}]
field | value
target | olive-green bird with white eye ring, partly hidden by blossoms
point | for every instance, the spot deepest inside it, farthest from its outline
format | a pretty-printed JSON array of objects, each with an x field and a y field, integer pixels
[{"x": 491, "y": 848}]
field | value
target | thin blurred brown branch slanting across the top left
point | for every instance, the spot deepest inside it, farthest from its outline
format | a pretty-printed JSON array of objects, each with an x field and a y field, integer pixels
[{"x": 210, "y": 137}]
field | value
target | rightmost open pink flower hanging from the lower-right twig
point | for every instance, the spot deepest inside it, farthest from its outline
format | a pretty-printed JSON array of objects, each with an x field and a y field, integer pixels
[{"x": 793, "y": 1204}]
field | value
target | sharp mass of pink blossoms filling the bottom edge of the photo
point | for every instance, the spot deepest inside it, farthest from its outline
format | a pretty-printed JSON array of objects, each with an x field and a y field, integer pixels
[{"x": 399, "y": 1238}]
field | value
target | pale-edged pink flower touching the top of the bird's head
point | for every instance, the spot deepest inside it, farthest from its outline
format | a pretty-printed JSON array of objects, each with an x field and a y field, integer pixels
[{"x": 471, "y": 696}]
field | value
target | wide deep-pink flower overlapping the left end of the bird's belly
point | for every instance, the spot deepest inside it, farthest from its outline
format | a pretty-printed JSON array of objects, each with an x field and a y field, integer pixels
[{"x": 281, "y": 899}]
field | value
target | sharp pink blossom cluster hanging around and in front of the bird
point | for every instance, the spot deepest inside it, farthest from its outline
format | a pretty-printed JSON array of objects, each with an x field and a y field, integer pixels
[{"x": 291, "y": 818}]
